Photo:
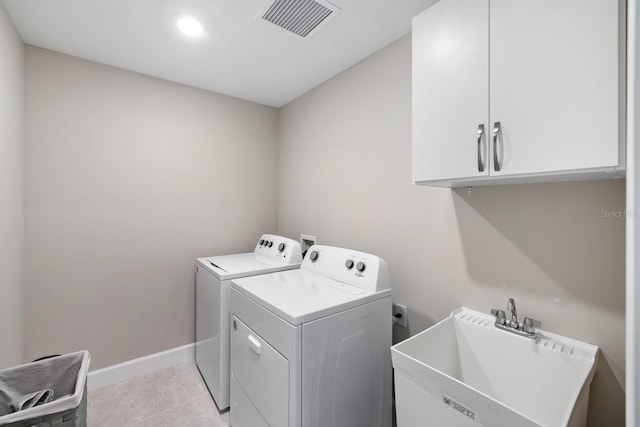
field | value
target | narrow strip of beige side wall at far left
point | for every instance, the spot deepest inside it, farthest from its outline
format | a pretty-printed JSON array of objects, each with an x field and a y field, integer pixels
[{"x": 11, "y": 193}]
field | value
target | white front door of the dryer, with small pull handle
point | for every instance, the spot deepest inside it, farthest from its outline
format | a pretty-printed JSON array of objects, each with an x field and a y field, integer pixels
[{"x": 261, "y": 373}]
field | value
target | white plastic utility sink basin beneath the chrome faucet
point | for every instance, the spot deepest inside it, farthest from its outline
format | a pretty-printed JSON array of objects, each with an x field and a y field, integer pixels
[{"x": 464, "y": 371}]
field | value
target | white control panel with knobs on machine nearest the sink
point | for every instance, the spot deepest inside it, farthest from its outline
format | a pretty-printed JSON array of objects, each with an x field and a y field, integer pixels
[{"x": 354, "y": 268}]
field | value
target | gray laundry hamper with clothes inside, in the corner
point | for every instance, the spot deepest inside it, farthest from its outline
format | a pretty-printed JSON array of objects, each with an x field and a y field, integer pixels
[{"x": 60, "y": 380}]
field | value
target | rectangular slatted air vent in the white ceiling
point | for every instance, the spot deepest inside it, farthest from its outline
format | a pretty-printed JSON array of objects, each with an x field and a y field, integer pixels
[{"x": 300, "y": 17}]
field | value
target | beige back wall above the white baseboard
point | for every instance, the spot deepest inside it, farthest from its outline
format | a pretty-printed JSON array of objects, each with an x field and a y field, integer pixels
[{"x": 127, "y": 180}]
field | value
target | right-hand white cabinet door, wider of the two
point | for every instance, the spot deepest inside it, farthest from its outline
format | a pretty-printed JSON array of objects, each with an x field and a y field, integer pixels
[{"x": 554, "y": 84}]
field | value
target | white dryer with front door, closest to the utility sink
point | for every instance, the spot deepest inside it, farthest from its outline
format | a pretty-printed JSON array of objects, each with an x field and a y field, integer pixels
[{"x": 311, "y": 347}]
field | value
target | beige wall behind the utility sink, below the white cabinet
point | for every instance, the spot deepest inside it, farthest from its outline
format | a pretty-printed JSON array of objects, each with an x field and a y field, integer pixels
[{"x": 344, "y": 175}]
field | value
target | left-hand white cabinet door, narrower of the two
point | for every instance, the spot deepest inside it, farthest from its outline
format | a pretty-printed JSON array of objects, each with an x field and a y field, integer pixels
[{"x": 450, "y": 90}]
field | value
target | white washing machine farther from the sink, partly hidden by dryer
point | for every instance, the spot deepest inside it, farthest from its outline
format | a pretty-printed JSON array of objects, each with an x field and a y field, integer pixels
[{"x": 213, "y": 282}]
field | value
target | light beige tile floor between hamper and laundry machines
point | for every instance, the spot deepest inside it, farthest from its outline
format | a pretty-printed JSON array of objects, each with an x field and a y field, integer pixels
[{"x": 174, "y": 396}]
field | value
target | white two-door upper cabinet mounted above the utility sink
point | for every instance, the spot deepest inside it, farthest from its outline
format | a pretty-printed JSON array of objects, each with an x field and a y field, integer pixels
[{"x": 508, "y": 91}]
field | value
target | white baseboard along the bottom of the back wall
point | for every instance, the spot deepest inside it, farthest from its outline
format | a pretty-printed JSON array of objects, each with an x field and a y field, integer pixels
[{"x": 140, "y": 366}]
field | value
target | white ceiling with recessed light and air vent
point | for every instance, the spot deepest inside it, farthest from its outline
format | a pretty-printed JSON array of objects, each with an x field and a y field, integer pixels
[{"x": 238, "y": 55}]
